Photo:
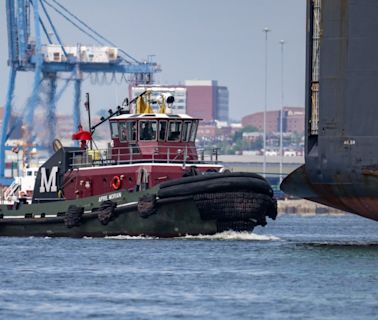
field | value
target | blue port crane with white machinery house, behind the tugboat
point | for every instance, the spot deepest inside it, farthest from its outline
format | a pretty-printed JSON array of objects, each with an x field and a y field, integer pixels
[{"x": 29, "y": 23}]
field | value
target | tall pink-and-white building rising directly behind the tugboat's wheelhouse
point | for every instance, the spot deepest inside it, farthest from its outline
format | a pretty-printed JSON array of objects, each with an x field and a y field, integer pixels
[{"x": 204, "y": 99}]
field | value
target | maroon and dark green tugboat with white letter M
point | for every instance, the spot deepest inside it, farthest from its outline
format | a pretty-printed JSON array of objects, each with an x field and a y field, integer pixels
[{"x": 150, "y": 180}]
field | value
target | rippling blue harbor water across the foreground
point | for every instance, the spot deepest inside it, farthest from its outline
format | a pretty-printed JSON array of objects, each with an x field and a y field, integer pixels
[{"x": 298, "y": 267}]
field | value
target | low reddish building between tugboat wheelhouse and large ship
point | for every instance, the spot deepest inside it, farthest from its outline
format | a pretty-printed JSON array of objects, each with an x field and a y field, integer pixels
[{"x": 292, "y": 120}]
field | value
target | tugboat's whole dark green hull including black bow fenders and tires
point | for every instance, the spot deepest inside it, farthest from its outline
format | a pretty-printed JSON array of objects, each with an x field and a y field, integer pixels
[{"x": 205, "y": 208}]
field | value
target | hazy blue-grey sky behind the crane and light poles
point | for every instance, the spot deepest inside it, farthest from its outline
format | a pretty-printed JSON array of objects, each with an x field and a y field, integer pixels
[{"x": 192, "y": 39}]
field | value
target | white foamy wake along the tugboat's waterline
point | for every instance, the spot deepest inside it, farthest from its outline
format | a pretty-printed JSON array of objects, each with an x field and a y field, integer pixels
[{"x": 226, "y": 235}]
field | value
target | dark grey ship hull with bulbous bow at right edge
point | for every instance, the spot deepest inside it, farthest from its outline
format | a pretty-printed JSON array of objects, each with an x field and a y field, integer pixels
[{"x": 341, "y": 158}]
